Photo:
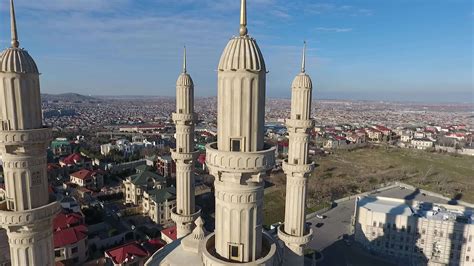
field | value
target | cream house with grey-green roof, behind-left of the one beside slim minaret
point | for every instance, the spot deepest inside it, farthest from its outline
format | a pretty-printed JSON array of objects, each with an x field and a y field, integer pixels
[{"x": 143, "y": 180}]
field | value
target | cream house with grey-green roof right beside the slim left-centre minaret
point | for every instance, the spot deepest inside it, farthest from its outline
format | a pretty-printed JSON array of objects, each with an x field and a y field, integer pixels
[{"x": 158, "y": 203}]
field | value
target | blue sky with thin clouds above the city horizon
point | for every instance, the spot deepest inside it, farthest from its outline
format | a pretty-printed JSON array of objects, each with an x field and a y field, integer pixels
[{"x": 403, "y": 50}]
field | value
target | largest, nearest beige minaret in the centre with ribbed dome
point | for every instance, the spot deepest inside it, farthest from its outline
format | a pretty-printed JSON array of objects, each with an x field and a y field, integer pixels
[{"x": 240, "y": 159}]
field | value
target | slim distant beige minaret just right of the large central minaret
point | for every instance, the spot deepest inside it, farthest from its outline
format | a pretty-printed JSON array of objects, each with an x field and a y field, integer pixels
[{"x": 294, "y": 232}]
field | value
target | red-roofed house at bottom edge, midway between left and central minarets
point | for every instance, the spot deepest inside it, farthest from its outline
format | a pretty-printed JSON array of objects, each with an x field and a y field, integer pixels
[{"x": 131, "y": 254}]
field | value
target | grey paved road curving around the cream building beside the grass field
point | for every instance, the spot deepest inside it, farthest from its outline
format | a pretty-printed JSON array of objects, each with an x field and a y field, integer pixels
[{"x": 328, "y": 238}]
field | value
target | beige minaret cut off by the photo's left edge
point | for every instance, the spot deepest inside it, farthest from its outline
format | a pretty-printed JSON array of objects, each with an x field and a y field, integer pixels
[{"x": 27, "y": 212}]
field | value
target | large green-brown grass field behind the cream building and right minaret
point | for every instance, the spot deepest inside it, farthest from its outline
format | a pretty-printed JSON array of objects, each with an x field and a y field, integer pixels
[{"x": 350, "y": 172}]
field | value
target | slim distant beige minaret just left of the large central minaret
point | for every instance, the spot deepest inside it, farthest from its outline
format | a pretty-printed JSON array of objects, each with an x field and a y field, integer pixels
[{"x": 184, "y": 214}]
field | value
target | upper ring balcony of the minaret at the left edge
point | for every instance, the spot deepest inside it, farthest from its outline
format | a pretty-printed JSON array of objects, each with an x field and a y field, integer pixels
[{"x": 22, "y": 137}]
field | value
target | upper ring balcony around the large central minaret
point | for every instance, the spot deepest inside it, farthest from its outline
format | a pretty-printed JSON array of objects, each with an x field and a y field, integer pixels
[{"x": 239, "y": 162}]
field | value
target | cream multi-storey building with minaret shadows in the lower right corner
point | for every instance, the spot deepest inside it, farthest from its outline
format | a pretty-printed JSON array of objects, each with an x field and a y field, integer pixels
[{"x": 416, "y": 233}]
